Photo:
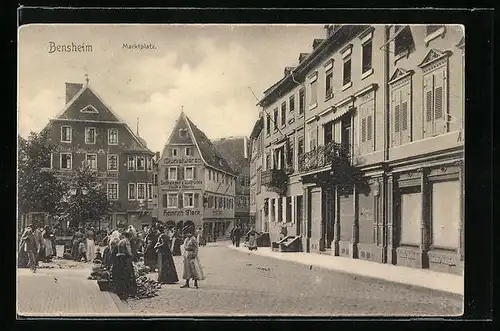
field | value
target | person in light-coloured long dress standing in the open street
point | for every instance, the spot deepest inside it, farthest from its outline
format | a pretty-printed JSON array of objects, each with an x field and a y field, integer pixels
[{"x": 192, "y": 267}]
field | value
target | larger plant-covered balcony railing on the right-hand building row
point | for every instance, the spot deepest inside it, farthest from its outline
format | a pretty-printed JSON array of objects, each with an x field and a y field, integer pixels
[{"x": 329, "y": 154}]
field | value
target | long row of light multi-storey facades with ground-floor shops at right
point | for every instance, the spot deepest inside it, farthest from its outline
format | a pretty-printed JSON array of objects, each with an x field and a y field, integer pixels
[{"x": 371, "y": 166}]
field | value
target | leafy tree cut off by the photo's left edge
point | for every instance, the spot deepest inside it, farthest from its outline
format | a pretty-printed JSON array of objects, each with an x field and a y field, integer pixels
[{"x": 38, "y": 189}]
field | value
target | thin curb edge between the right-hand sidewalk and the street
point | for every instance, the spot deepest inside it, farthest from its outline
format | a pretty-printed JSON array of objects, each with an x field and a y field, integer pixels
[{"x": 361, "y": 276}]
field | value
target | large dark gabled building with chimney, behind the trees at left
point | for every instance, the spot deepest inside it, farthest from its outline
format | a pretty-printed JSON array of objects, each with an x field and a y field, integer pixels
[{"x": 88, "y": 131}]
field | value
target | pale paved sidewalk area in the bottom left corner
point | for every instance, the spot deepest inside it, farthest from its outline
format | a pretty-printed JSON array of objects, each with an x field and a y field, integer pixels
[{"x": 72, "y": 294}]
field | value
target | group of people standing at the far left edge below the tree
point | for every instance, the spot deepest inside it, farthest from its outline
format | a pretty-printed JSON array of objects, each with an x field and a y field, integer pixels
[{"x": 36, "y": 244}]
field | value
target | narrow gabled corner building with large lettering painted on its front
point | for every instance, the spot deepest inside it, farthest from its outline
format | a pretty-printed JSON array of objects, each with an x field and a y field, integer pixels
[{"x": 196, "y": 185}]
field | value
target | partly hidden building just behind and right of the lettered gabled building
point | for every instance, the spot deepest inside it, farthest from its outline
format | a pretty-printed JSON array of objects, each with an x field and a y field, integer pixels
[{"x": 235, "y": 151}]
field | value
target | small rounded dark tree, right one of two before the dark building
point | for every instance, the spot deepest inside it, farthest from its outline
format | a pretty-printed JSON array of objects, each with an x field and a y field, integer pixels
[{"x": 86, "y": 199}]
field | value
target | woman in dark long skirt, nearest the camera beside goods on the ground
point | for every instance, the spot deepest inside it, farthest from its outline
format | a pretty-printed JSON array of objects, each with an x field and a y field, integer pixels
[{"x": 123, "y": 270}]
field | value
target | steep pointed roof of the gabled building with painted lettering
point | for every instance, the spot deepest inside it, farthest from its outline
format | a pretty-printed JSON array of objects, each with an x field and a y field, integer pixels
[{"x": 209, "y": 154}]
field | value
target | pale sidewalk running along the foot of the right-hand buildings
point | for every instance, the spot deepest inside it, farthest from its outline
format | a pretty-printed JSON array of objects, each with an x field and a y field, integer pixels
[{"x": 396, "y": 274}]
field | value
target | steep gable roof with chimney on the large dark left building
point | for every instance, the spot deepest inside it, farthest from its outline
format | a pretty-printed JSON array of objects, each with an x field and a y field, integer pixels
[{"x": 87, "y": 99}]
